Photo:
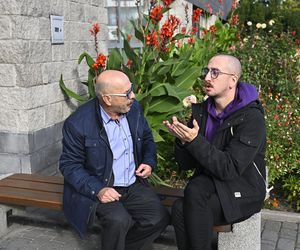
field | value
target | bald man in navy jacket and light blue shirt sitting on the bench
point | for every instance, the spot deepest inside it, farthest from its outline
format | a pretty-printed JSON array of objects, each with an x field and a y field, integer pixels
[{"x": 108, "y": 154}]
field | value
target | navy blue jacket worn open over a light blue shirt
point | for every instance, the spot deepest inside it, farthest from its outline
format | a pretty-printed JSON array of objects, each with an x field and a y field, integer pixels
[{"x": 86, "y": 160}]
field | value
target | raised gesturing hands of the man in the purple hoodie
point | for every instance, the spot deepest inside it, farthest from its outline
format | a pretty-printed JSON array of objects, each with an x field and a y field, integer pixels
[{"x": 181, "y": 131}]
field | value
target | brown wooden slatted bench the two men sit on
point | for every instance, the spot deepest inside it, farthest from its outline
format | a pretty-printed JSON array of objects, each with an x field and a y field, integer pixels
[{"x": 32, "y": 190}]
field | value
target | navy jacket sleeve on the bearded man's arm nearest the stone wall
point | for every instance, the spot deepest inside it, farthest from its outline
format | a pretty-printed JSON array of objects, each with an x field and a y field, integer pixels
[{"x": 72, "y": 162}]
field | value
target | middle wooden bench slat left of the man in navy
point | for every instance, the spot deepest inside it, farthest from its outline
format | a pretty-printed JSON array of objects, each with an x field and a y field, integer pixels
[{"x": 25, "y": 184}]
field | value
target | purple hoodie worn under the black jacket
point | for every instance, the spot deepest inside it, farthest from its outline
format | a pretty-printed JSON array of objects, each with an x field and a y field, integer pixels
[{"x": 245, "y": 94}]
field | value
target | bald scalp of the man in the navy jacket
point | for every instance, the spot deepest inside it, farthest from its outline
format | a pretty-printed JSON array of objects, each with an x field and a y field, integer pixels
[{"x": 110, "y": 80}]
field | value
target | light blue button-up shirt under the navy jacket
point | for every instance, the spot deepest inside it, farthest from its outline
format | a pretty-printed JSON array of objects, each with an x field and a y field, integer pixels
[{"x": 120, "y": 141}]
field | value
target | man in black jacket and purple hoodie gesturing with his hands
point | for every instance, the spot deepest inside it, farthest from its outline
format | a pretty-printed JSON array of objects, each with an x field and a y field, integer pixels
[{"x": 225, "y": 144}]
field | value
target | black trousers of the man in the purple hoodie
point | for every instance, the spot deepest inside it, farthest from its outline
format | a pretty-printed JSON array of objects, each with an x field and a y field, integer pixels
[{"x": 195, "y": 215}]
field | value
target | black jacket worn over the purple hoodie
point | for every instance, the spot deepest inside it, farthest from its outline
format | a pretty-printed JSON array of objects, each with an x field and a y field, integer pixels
[{"x": 237, "y": 146}]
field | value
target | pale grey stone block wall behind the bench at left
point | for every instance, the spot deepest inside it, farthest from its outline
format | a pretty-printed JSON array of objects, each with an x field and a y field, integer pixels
[{"x": 32, "y": 106}]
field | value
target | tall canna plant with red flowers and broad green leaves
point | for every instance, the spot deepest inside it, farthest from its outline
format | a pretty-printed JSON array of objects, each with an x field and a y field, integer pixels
[{"x": 166, "y": 67}]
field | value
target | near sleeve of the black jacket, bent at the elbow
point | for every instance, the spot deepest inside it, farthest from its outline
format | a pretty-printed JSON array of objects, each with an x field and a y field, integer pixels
[{"x": 238, "y": 153}]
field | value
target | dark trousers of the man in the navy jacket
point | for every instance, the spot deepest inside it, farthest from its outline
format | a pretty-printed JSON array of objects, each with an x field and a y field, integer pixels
[{"x": 134, "y": 221}]
